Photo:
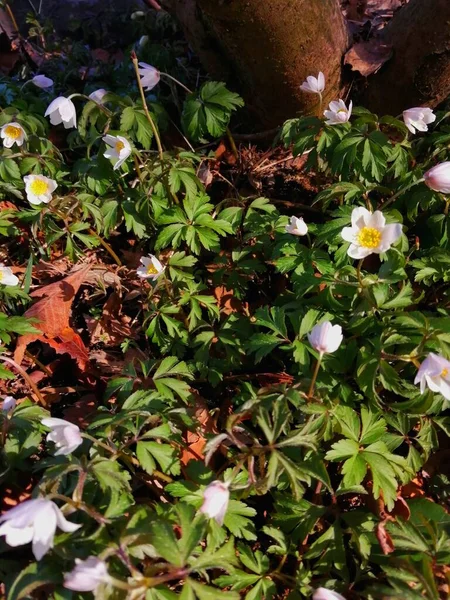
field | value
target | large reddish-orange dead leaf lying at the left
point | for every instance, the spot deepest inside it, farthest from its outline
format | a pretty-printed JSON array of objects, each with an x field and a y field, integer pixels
[{"x": 53, "y": 312}]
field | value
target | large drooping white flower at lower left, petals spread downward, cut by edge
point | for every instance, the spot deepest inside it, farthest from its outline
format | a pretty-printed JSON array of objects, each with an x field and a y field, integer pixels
[{"x": 34, "y": 520}]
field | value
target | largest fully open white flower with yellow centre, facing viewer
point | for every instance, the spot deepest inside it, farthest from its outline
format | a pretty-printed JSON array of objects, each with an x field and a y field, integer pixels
[{"x": 369, "y": 233}]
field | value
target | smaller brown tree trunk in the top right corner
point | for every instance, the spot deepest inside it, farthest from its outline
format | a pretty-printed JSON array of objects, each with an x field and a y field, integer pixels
[{"x": 419, "y": 72}]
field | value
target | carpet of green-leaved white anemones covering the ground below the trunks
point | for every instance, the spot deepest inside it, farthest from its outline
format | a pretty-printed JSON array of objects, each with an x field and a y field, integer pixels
[{"x": 209, "y": 390}]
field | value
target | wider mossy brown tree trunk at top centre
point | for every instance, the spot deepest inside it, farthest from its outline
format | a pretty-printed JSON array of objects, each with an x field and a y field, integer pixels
[{"x": 266, "y": 48}]
